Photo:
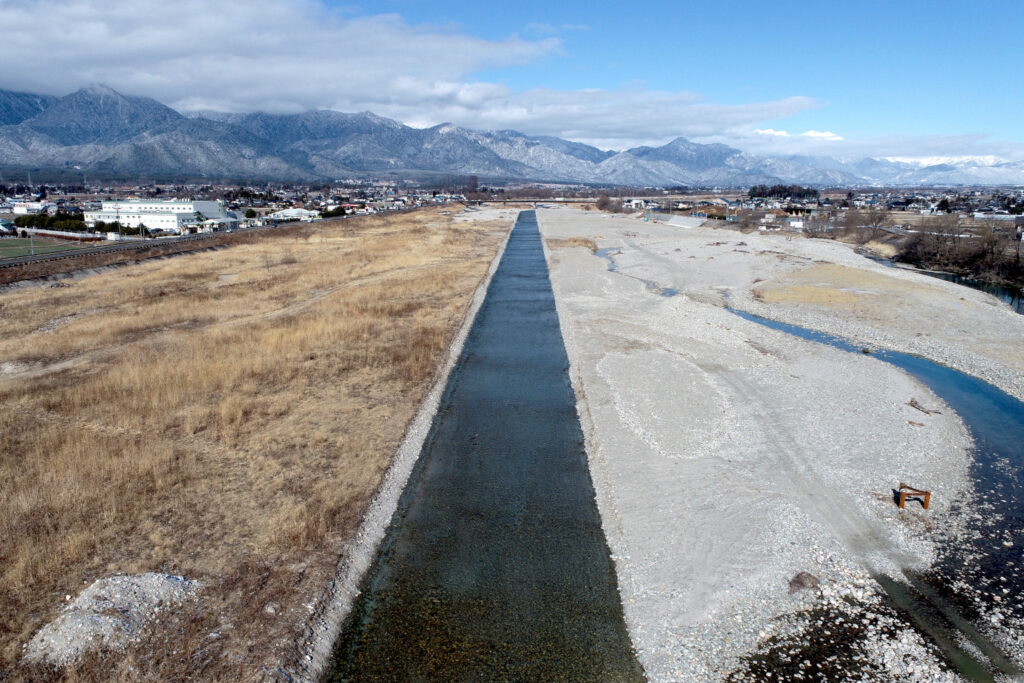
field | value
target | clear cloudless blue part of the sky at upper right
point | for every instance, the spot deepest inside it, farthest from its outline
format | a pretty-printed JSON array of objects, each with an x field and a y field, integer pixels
[{"x": 876, "y": 69}]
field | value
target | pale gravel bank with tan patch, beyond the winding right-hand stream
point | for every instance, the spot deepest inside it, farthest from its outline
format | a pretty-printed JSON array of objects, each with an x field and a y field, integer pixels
[{"x": 894, "y": 309}]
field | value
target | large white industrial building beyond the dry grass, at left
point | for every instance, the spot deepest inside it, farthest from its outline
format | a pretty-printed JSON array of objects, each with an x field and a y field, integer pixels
[{"x": 169, "y": 216}]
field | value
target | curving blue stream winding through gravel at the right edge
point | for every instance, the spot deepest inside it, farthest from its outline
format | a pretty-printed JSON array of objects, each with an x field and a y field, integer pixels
[{"x": 979, "y": 578}]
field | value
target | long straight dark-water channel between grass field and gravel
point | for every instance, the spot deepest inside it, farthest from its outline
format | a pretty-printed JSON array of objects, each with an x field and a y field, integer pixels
[{"x": 495, "y": 566}]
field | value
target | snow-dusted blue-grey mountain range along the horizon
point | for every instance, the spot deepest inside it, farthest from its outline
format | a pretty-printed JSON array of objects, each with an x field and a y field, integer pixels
[{"x": 101, "y": 132}]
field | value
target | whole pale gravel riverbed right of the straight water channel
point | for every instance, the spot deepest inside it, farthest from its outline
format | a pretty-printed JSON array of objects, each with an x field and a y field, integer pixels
[{"x": 733, "y": 461}]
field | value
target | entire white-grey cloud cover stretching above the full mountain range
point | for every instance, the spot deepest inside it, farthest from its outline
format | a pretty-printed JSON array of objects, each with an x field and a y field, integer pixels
[{"x": 293, "y": 56}]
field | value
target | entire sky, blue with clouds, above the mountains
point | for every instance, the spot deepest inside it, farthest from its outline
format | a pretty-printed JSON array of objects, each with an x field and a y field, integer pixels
[{"x": 902, "y": 79}]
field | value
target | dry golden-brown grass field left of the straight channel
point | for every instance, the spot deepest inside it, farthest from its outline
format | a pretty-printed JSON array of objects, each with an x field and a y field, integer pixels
[{"x": 226, "y": 416}]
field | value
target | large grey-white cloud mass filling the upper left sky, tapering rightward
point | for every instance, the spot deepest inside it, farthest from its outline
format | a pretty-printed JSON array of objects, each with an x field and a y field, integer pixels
[{"x": 284, "y": 56}]
